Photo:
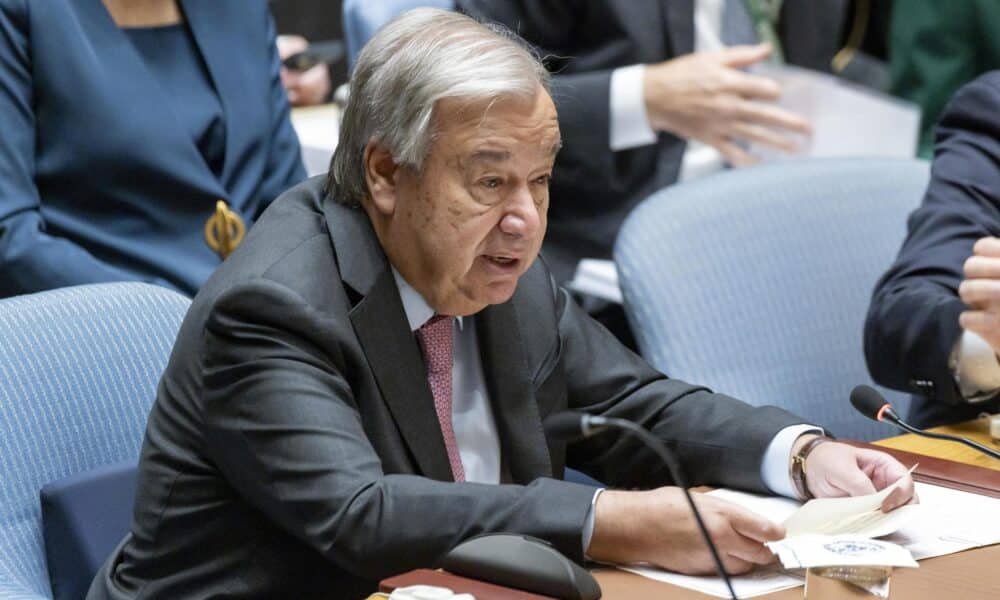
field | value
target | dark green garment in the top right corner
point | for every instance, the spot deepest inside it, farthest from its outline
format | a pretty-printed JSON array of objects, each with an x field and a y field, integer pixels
[{"x": 937, "y": 46}]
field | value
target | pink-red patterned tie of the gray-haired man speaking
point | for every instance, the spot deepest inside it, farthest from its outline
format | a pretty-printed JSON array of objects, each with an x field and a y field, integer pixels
[{"x": 435, "y": 337}]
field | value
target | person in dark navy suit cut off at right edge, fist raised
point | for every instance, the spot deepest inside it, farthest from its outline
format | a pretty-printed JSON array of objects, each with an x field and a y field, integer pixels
[{"x": 932, "y": 327}]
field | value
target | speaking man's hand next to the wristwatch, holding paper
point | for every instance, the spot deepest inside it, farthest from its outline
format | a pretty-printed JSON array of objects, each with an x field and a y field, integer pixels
[{"x": 835, "y": 470}]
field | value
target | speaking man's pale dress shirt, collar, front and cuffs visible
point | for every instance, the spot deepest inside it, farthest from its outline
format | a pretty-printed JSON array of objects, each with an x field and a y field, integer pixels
[{"x": 476, "y": 430}]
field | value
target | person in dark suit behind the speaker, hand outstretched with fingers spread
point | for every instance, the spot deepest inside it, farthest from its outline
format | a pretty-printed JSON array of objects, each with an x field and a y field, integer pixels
[{"x": 633, "y": 94}]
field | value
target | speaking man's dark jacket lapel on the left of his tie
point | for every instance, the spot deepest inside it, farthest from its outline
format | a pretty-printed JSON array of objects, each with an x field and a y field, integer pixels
[{"x": 380, "y": 323}]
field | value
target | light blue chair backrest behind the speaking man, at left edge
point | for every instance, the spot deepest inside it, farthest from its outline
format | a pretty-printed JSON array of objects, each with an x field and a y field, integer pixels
[{"x": 78, "y": 374}]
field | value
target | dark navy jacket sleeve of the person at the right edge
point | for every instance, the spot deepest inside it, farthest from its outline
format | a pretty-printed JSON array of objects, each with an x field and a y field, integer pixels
[{"x": 912, "y": 323}]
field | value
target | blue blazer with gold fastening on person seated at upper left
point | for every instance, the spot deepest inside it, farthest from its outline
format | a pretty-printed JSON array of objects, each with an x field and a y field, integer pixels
[{"x": 98, "y": 179}]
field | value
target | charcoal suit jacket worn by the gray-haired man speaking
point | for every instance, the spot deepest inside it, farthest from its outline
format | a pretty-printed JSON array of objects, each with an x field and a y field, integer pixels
[{"x": 293, "y": 449}]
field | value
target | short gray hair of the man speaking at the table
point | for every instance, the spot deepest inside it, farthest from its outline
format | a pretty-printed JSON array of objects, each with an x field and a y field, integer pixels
[{"x": 418, "y": 58}]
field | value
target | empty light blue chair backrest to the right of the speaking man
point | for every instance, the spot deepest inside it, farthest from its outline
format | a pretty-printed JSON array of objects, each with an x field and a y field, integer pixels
[{"x": 756, "y": 281}]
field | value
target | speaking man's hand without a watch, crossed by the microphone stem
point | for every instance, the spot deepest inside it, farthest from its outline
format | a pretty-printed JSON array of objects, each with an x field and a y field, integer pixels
[{"x": 657, "y": 527}]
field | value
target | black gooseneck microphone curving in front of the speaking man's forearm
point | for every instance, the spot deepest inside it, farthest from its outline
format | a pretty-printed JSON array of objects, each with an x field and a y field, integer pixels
[{"x": 570, "y": 425}]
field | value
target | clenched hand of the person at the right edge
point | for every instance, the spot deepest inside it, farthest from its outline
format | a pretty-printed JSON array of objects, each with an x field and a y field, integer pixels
[{"x": 981, "y": 291}]
